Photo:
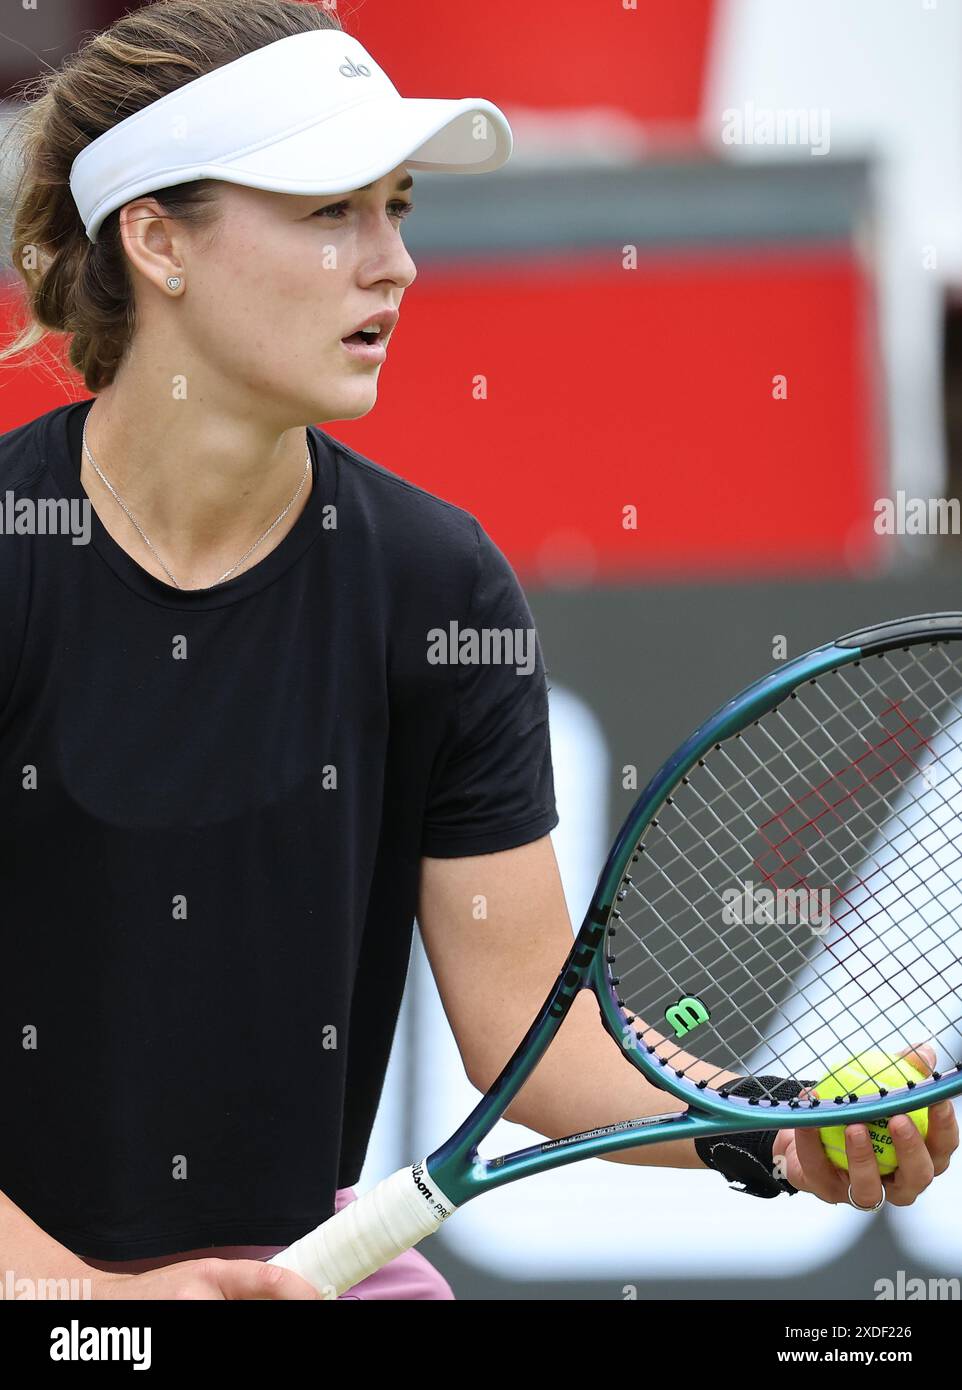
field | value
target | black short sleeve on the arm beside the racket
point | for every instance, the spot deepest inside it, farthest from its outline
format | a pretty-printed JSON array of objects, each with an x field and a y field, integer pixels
[{"x": 493, "y": 785}]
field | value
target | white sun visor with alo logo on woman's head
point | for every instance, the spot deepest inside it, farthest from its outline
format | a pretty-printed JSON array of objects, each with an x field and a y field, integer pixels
[{"x": 307, "y": 115}]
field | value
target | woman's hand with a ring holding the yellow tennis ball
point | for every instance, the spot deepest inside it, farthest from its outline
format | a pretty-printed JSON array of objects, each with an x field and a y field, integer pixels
[{"x": 807, "y": 1166}]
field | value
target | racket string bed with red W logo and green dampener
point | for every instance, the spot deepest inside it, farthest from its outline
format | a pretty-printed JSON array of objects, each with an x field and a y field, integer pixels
[{"x": 849, "y": 797}]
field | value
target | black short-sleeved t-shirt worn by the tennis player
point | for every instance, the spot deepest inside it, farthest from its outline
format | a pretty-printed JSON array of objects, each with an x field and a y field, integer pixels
[{"x": 213, "y": 806}]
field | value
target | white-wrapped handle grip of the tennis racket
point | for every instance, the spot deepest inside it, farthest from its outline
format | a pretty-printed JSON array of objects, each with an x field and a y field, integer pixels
[{"x": 369, "y": 1232}]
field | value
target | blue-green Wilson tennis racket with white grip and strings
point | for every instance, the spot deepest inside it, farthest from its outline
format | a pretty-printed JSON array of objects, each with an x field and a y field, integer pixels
[{"x": 786, "y": 893}]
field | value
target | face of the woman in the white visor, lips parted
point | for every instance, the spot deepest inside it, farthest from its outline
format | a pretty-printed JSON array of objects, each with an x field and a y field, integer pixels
[{"x": 283, "y": 280}]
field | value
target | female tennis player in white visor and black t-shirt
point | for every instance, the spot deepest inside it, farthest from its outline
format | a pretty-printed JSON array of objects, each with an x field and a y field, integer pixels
[{"x": 233, "y": 767}]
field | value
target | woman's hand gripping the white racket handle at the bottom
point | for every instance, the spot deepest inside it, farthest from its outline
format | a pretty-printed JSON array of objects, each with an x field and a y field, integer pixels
[{"x": 206, "y": 1279}]
